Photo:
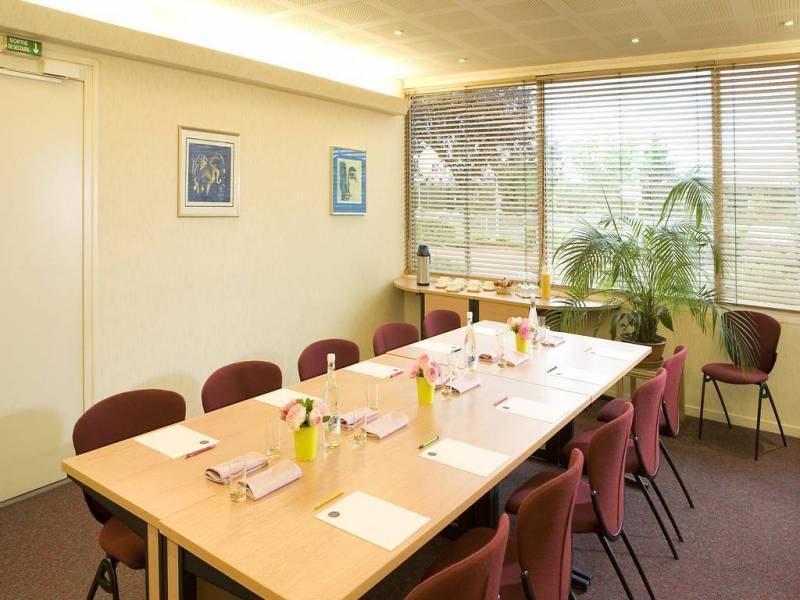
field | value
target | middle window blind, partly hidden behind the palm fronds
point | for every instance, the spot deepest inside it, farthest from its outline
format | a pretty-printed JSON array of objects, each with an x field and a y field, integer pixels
[{"x": 624, "y": 140}]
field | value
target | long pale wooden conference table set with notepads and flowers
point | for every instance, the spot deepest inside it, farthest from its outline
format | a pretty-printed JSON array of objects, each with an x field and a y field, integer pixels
[{"x": 275, "y": 547}]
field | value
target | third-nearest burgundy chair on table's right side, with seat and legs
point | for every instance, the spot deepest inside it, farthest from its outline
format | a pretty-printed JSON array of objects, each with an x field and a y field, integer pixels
[{"x": 600, "y": 504}]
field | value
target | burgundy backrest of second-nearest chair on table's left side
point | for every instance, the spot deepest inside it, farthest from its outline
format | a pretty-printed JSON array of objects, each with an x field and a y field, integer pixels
[{"x": 239, "y": 381}]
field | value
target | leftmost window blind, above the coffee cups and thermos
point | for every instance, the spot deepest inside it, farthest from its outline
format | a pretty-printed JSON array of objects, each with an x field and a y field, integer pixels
[{"x": 472, "y": 180}]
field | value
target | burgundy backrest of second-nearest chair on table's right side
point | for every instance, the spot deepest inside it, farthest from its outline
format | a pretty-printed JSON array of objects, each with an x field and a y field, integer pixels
[{"x": 544, "y": 533}]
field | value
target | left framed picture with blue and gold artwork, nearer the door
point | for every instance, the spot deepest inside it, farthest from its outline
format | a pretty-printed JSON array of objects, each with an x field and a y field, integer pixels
[{"x": 208, "y": 173}]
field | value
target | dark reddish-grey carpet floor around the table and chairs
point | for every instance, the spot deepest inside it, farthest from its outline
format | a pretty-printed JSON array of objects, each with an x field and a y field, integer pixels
[{"x": 741, "y": 542}]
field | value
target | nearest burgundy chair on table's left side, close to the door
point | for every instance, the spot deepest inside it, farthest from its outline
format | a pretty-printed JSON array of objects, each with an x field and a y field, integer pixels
[{"x": 117, "y": 418}]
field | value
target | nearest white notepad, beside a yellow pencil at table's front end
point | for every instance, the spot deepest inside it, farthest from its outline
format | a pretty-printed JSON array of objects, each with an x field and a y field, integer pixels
[{"x": 372, "y": 519}]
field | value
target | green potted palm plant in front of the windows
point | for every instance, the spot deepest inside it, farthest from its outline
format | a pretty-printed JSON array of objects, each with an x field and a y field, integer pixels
[{"x": 651, "y": 271}]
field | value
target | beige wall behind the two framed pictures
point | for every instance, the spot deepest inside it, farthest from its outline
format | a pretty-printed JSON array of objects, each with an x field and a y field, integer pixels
[{"x": 177, "y": 298}]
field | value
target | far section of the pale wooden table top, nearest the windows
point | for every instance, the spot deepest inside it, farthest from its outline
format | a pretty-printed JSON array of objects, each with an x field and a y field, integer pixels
[{"x": 572, "y": 353}]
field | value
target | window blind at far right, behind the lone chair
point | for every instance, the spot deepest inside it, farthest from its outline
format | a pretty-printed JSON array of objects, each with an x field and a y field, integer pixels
[{"x": 761, "y": 184}]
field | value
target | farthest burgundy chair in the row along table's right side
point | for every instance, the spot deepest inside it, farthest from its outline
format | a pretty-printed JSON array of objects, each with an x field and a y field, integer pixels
[{"x": 669, "y": 419}]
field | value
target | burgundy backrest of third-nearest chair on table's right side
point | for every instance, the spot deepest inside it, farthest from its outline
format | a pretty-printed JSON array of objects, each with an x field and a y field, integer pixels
[{"x": 605, "y": 462}]
